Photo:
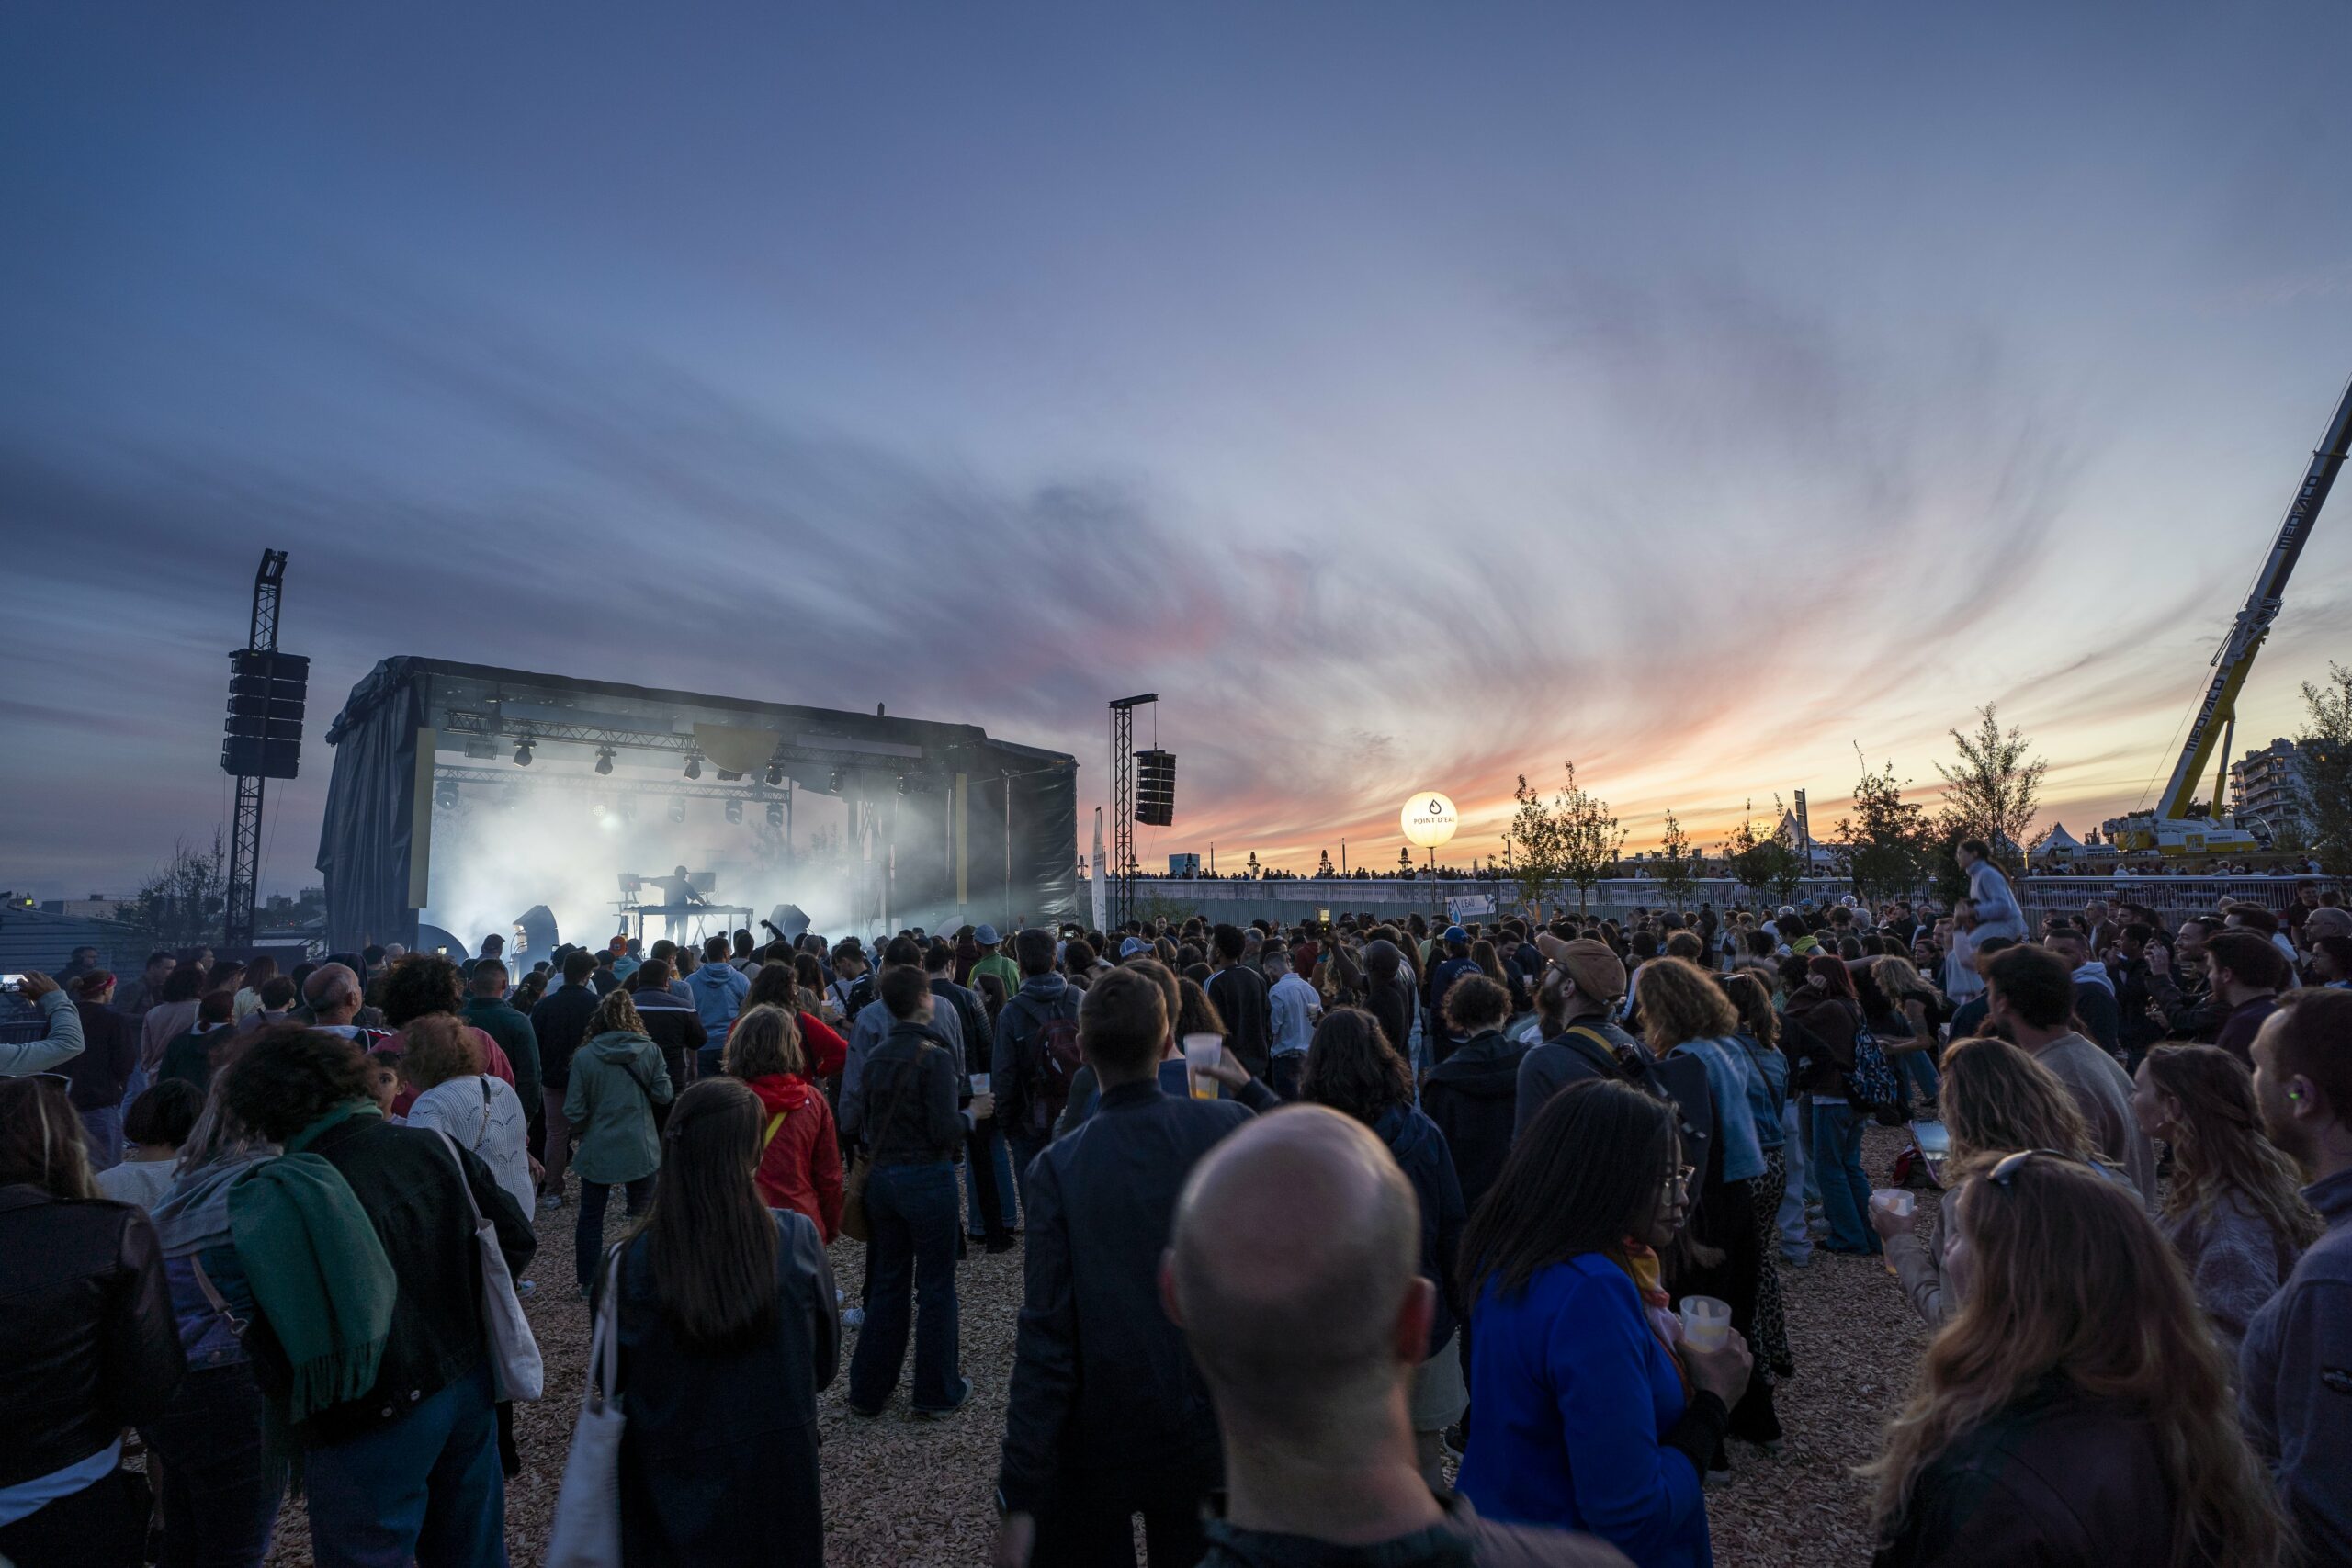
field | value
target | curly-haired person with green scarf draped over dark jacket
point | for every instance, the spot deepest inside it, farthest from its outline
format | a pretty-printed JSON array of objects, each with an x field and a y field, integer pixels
[{"x": 368, "y": 1332}]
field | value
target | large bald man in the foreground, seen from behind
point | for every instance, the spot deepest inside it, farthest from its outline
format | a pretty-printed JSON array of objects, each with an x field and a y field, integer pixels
[{"x": 1309, "y": 1318}]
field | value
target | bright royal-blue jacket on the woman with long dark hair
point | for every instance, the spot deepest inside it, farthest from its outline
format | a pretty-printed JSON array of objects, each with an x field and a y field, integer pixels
[{"x": 1570, "y": 1402}]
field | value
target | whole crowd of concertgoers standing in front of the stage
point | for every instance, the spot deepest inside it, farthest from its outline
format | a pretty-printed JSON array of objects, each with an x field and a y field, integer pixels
[{"x": 1351, "y": 1242}]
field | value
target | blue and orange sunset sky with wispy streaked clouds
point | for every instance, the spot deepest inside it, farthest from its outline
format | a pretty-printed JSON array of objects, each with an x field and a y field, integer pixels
[{"x": 1412, "y": 396}]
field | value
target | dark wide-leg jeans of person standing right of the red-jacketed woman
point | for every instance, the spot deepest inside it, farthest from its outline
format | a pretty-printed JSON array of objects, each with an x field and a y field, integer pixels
[{"x": 911, "y": 1212}]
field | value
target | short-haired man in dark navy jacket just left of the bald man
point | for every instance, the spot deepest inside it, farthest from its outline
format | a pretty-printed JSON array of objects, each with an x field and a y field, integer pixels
[{"x": 1107, "y": 1416}]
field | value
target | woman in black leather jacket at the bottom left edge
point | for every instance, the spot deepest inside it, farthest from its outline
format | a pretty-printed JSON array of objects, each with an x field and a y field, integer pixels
[{"x": 91, "y": 1346}]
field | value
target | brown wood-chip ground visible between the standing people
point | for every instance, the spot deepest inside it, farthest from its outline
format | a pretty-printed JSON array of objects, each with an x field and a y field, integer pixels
[{"x": 904, "y": 1494}]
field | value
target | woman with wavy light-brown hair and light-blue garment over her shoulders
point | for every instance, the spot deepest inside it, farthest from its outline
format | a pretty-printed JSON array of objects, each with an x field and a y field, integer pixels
[{"x": 1688, "y": 1014}]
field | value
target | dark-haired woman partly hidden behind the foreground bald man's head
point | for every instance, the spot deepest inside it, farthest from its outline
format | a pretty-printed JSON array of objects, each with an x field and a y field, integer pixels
[{"x": 1358, "y": 1073}]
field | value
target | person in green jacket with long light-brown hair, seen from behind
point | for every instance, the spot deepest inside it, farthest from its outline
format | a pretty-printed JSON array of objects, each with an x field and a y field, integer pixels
[{"x": 617, "y": 1080}]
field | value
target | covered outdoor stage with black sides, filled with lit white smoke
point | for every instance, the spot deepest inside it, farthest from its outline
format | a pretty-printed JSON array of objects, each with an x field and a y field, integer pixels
[{"x": 465, "y": 793}]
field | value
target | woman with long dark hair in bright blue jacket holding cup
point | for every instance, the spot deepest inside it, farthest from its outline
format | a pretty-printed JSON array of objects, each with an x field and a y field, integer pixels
[{"x": 1589, "y": 1412}]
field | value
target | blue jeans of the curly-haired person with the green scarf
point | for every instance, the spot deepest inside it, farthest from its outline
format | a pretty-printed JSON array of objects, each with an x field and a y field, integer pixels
[{"x": 425, "y": 1489}]
